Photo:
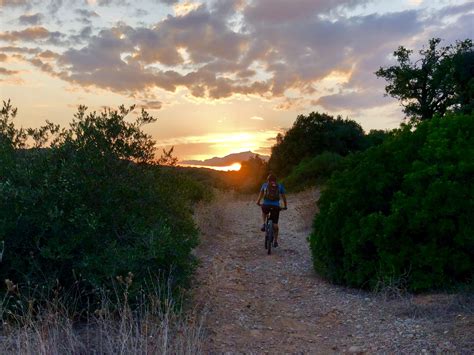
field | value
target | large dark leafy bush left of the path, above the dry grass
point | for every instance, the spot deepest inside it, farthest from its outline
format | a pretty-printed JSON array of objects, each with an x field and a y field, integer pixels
[{"x": 92, "y": 205}]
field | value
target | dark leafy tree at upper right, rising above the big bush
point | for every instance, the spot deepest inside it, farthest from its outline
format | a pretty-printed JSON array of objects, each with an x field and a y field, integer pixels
[{"x": 441, "y": 80}]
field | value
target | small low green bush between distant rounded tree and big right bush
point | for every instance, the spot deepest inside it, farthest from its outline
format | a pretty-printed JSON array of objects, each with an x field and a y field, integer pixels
[{"x": 312, "y": 171}]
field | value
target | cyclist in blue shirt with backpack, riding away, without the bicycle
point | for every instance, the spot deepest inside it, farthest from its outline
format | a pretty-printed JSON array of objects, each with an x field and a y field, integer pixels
[{"x": 271, "y": 191}]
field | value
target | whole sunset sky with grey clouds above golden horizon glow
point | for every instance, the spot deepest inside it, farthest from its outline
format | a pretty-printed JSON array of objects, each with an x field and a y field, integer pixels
[{"x": 221, "y": 76}]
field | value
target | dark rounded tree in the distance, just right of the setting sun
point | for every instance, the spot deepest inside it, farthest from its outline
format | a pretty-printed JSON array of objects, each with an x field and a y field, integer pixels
[{"x": 312, "y": 135}]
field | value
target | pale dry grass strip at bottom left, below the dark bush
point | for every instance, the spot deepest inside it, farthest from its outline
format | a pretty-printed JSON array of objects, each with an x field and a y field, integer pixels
[{"x": 155, "y": 326}]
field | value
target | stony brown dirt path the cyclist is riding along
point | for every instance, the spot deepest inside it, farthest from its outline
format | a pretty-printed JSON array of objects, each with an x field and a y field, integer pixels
[{"x": 257, "y": 303}]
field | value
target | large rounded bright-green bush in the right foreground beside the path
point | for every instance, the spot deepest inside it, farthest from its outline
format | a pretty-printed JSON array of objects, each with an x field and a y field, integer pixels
[{"x": 402, "y": 210}]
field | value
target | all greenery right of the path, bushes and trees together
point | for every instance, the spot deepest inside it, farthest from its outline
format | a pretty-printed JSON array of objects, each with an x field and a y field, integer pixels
[{"x": 396, "y": 206}]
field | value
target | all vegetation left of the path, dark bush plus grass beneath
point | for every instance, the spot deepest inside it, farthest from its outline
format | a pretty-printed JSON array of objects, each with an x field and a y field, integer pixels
[{"x": 89, "y": 223}]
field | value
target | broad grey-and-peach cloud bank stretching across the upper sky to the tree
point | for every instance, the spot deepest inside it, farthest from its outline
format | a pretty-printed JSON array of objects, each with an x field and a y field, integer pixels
[{"x": 275, "y": 49}]
